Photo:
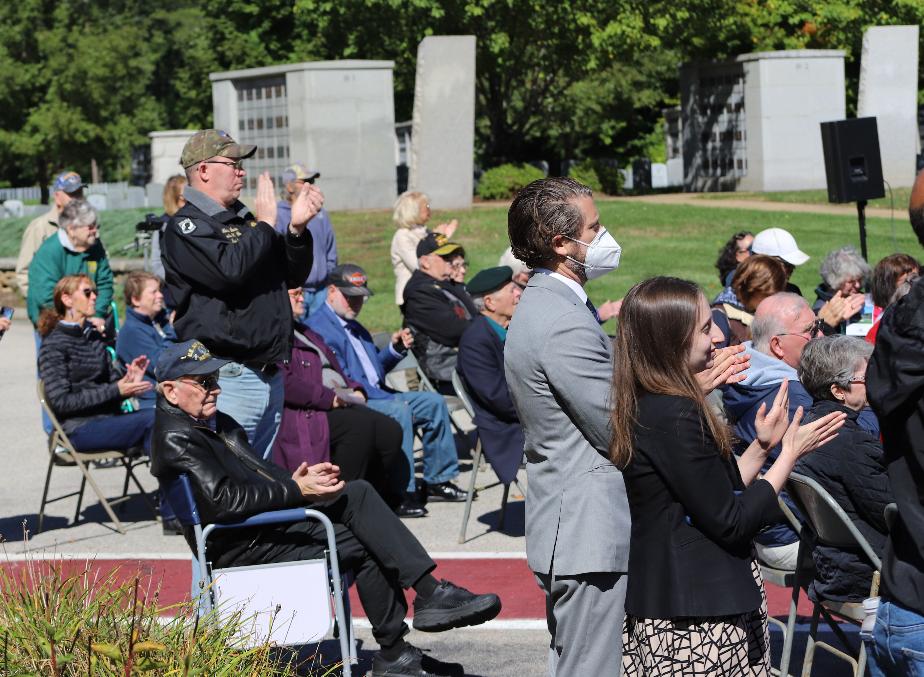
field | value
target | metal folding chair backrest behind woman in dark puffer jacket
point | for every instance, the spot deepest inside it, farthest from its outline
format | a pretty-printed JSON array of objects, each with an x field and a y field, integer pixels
[{"x": 827, "y": 520}]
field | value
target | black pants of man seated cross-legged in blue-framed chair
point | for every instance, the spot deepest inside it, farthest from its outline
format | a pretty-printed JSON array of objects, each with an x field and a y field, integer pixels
[{"x": 383, "y": 555}]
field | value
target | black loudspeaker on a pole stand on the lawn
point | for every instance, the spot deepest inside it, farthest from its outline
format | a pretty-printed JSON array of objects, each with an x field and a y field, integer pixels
[{"x": 853, "y": 165}]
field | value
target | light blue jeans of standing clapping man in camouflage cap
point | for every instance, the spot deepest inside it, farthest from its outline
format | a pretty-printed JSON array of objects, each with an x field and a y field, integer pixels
[{"x": 254, "y": 401}]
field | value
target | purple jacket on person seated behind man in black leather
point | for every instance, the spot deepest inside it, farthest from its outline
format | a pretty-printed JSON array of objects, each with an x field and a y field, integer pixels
[{"x": 304, "y": 434}]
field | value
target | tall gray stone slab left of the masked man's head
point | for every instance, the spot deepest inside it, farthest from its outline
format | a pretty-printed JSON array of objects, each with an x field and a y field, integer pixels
[{"x": 443, "y": 131}]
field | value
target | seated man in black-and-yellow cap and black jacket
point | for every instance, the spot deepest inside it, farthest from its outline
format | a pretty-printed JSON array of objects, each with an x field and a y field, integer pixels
[{"x": 434, "y": 311}]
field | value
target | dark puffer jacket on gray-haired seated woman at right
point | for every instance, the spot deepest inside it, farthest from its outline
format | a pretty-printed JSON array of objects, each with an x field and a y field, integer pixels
[{"x": 851, "y": 468}]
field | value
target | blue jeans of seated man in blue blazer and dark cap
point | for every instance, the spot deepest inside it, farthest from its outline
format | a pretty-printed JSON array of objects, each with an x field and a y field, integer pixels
[{"x": 428, "y": 412}]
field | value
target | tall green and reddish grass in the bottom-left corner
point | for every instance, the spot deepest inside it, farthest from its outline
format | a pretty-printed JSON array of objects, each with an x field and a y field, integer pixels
[{"x": 97, "y": 624}]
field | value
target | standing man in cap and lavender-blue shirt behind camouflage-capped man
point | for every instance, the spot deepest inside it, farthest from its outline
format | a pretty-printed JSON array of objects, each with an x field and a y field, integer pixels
[{"x": 322, "y": 235}]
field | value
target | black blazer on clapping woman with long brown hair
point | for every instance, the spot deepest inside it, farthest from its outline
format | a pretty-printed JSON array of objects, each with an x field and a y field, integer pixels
[{"x": 692, "y": 518}]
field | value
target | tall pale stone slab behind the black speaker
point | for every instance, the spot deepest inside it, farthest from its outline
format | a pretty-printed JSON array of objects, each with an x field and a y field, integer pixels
[{"x": 889, "y": 92}]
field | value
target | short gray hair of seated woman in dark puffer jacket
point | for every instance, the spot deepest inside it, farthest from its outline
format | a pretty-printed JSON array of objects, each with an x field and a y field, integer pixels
[{"x": 831, "y": 360}]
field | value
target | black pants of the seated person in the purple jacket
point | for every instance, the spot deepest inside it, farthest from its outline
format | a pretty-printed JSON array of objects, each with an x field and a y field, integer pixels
[{"x": 366, "y": 445}]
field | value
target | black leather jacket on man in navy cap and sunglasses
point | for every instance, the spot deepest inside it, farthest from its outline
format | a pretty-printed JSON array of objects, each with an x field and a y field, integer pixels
[{"x": 229, "y": 481}]
